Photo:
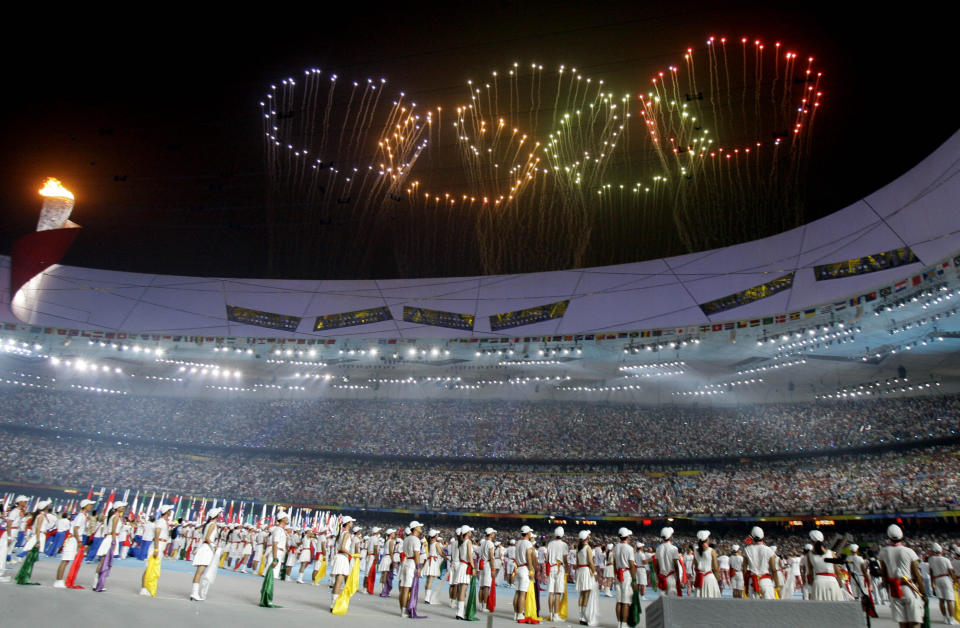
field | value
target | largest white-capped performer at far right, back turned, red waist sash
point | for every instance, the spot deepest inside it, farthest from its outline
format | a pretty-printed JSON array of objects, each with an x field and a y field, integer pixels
[{"x": 901, "y": 574}]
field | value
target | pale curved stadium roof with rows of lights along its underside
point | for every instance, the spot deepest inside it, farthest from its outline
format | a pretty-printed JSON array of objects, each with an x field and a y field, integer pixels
[{"x": 827, "y": 281}]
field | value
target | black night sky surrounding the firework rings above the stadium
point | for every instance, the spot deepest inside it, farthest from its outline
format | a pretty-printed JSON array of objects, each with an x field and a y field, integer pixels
[{"x": 154, "y": 122}]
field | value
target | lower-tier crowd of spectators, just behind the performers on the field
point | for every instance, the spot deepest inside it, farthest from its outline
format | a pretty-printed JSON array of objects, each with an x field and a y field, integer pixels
[{"x": 923, "y": 478}]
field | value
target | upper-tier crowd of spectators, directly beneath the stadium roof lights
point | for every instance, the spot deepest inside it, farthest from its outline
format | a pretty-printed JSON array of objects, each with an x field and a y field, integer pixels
[{"x": 488, "y": 429}]
